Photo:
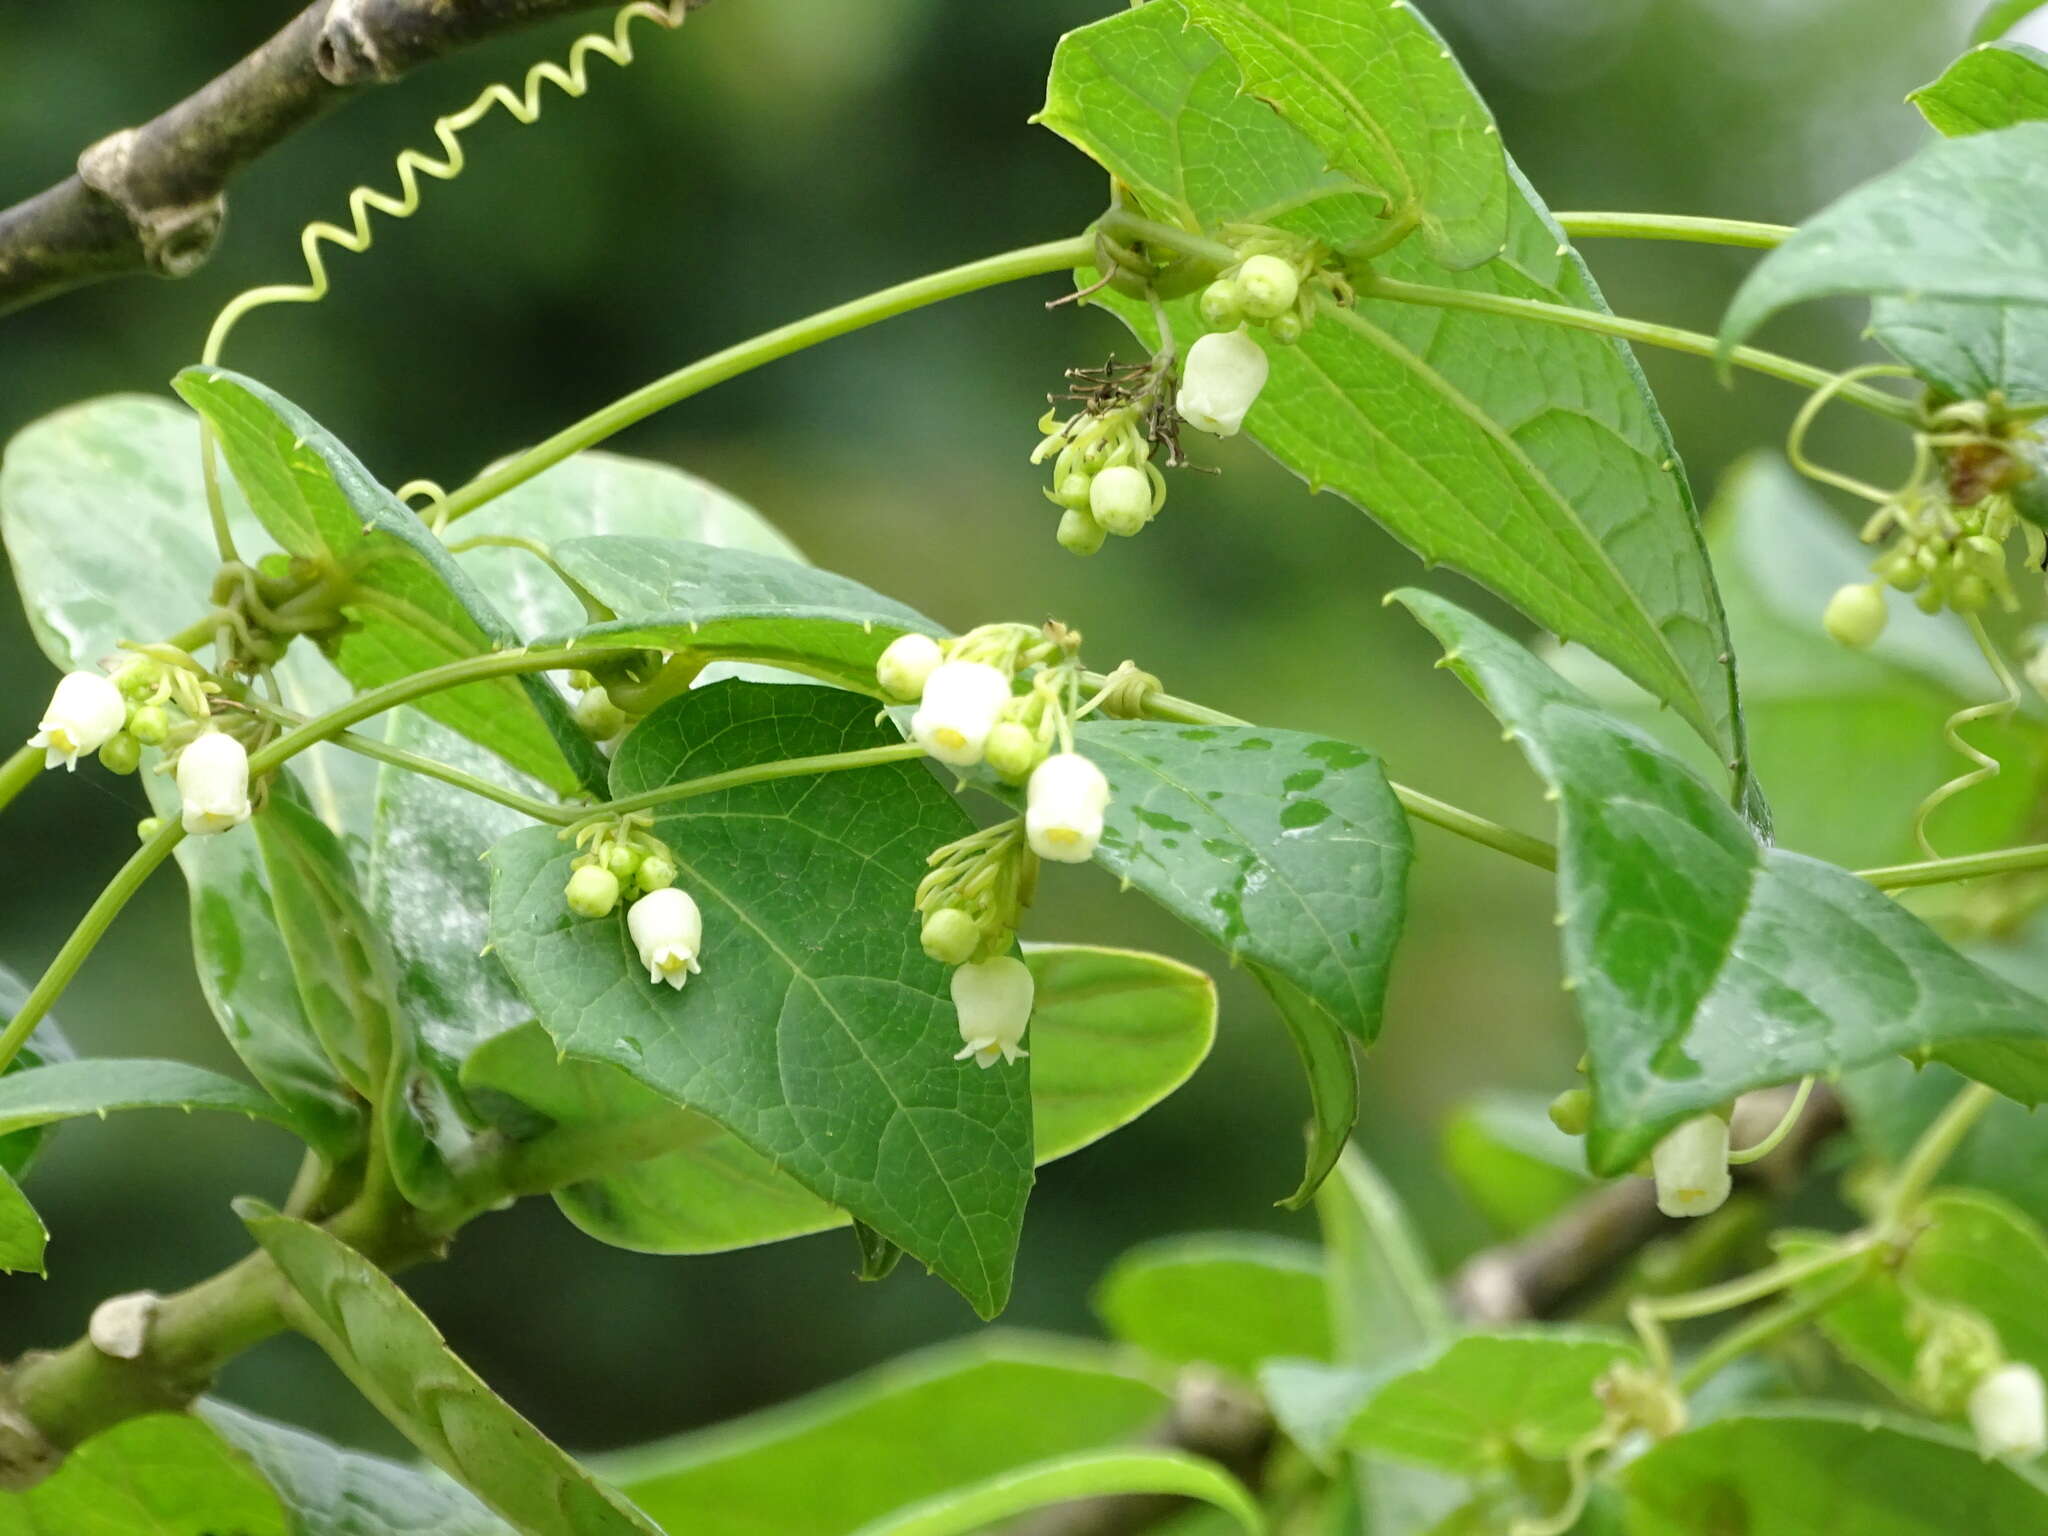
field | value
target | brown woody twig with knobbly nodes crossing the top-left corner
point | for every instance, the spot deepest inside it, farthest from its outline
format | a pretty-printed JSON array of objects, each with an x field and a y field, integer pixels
[{"x": 153, "y": 198}]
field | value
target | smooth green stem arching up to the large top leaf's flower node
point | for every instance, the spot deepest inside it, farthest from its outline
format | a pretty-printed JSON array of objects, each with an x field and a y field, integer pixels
[{"x": 1009, "y": 267}]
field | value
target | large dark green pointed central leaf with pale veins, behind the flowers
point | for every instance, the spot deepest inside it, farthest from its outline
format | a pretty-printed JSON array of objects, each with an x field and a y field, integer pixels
[{"x": 818, "y": 1033}]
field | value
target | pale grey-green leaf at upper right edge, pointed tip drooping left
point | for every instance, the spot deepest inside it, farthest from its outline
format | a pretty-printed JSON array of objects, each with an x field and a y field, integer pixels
[{"x": 1961, "y": 220}]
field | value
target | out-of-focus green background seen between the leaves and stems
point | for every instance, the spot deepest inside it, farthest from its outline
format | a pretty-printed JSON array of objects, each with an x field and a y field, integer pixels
[{"x": 773, "y": 159}]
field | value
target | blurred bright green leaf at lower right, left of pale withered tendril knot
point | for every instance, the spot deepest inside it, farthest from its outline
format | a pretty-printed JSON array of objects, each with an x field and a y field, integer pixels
[{"x": 1490, "y": 1398}]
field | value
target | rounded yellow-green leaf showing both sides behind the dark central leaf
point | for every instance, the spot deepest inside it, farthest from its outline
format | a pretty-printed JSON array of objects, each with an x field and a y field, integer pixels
[{"x": 1113, "y": 1035}]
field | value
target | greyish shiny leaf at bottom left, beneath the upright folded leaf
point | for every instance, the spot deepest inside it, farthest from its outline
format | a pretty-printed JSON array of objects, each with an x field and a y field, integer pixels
[{"x": 333, "y": 1492}]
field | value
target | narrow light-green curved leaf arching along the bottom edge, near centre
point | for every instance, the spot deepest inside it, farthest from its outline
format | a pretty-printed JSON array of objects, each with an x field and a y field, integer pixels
[{"x": 1084, "y": 1476}]
